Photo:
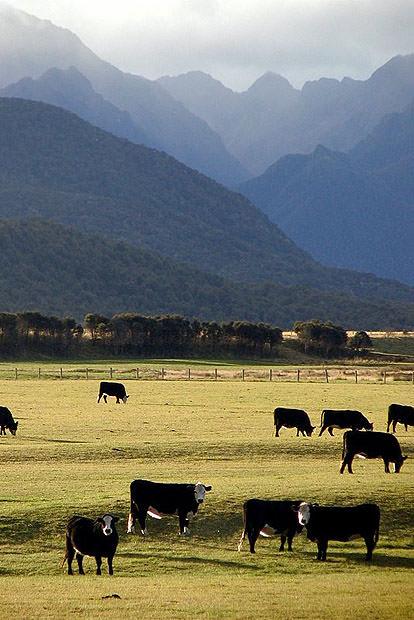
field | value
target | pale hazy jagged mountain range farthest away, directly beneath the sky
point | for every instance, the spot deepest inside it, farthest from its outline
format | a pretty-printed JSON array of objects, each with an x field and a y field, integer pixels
[{"x": 272, "y": 118}]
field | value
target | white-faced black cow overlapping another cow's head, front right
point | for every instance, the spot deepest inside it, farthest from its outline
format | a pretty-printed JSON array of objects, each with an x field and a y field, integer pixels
[{"x": 325, "y": 523}]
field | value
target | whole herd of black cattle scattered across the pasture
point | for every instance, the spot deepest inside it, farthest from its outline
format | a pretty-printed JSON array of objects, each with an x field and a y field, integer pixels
[{"x": 99, "y": 538}]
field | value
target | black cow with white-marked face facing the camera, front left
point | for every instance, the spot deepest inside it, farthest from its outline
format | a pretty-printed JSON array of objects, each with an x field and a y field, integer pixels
[{"x": 98, "y": 539}]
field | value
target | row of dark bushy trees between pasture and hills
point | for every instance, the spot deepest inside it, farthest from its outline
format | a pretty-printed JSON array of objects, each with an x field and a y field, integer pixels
[{"x": 127, "y": 334}]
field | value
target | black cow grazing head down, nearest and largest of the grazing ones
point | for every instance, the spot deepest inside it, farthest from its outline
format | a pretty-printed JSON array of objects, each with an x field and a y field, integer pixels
[{"x": 373, "y": 445}]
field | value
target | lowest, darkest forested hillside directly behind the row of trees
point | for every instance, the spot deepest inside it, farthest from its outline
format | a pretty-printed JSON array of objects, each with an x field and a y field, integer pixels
[{"x": 55, "y": 270}]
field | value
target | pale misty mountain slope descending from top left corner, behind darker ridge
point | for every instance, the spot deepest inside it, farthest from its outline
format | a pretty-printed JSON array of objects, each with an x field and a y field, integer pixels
[{"x": 30, "y": 46}]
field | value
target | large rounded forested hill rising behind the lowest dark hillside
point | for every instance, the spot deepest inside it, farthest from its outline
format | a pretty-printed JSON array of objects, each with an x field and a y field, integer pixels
[{"x": 54, "y": 165}]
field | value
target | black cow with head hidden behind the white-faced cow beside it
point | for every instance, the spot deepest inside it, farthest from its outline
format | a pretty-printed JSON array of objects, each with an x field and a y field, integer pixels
[{"x": 267, "y": 517}]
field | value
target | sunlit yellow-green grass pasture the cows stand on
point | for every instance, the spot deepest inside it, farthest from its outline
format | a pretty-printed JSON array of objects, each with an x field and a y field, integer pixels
[{"x": 72, "y": 455}]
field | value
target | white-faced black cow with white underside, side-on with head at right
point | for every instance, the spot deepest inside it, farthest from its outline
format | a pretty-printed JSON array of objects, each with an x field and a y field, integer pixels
[{"x": 164, "y": 498}]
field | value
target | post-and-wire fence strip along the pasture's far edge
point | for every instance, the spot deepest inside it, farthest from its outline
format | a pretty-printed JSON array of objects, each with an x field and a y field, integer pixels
[{"x": 298, "y": 375}]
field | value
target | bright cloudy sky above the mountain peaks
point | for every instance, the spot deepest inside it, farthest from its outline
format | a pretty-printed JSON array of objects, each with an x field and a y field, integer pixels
[{"x": 236, "y": 41}]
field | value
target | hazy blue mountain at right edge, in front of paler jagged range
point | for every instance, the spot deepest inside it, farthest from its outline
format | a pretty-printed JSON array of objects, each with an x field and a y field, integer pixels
[{"x": 352, "y": 210}]
